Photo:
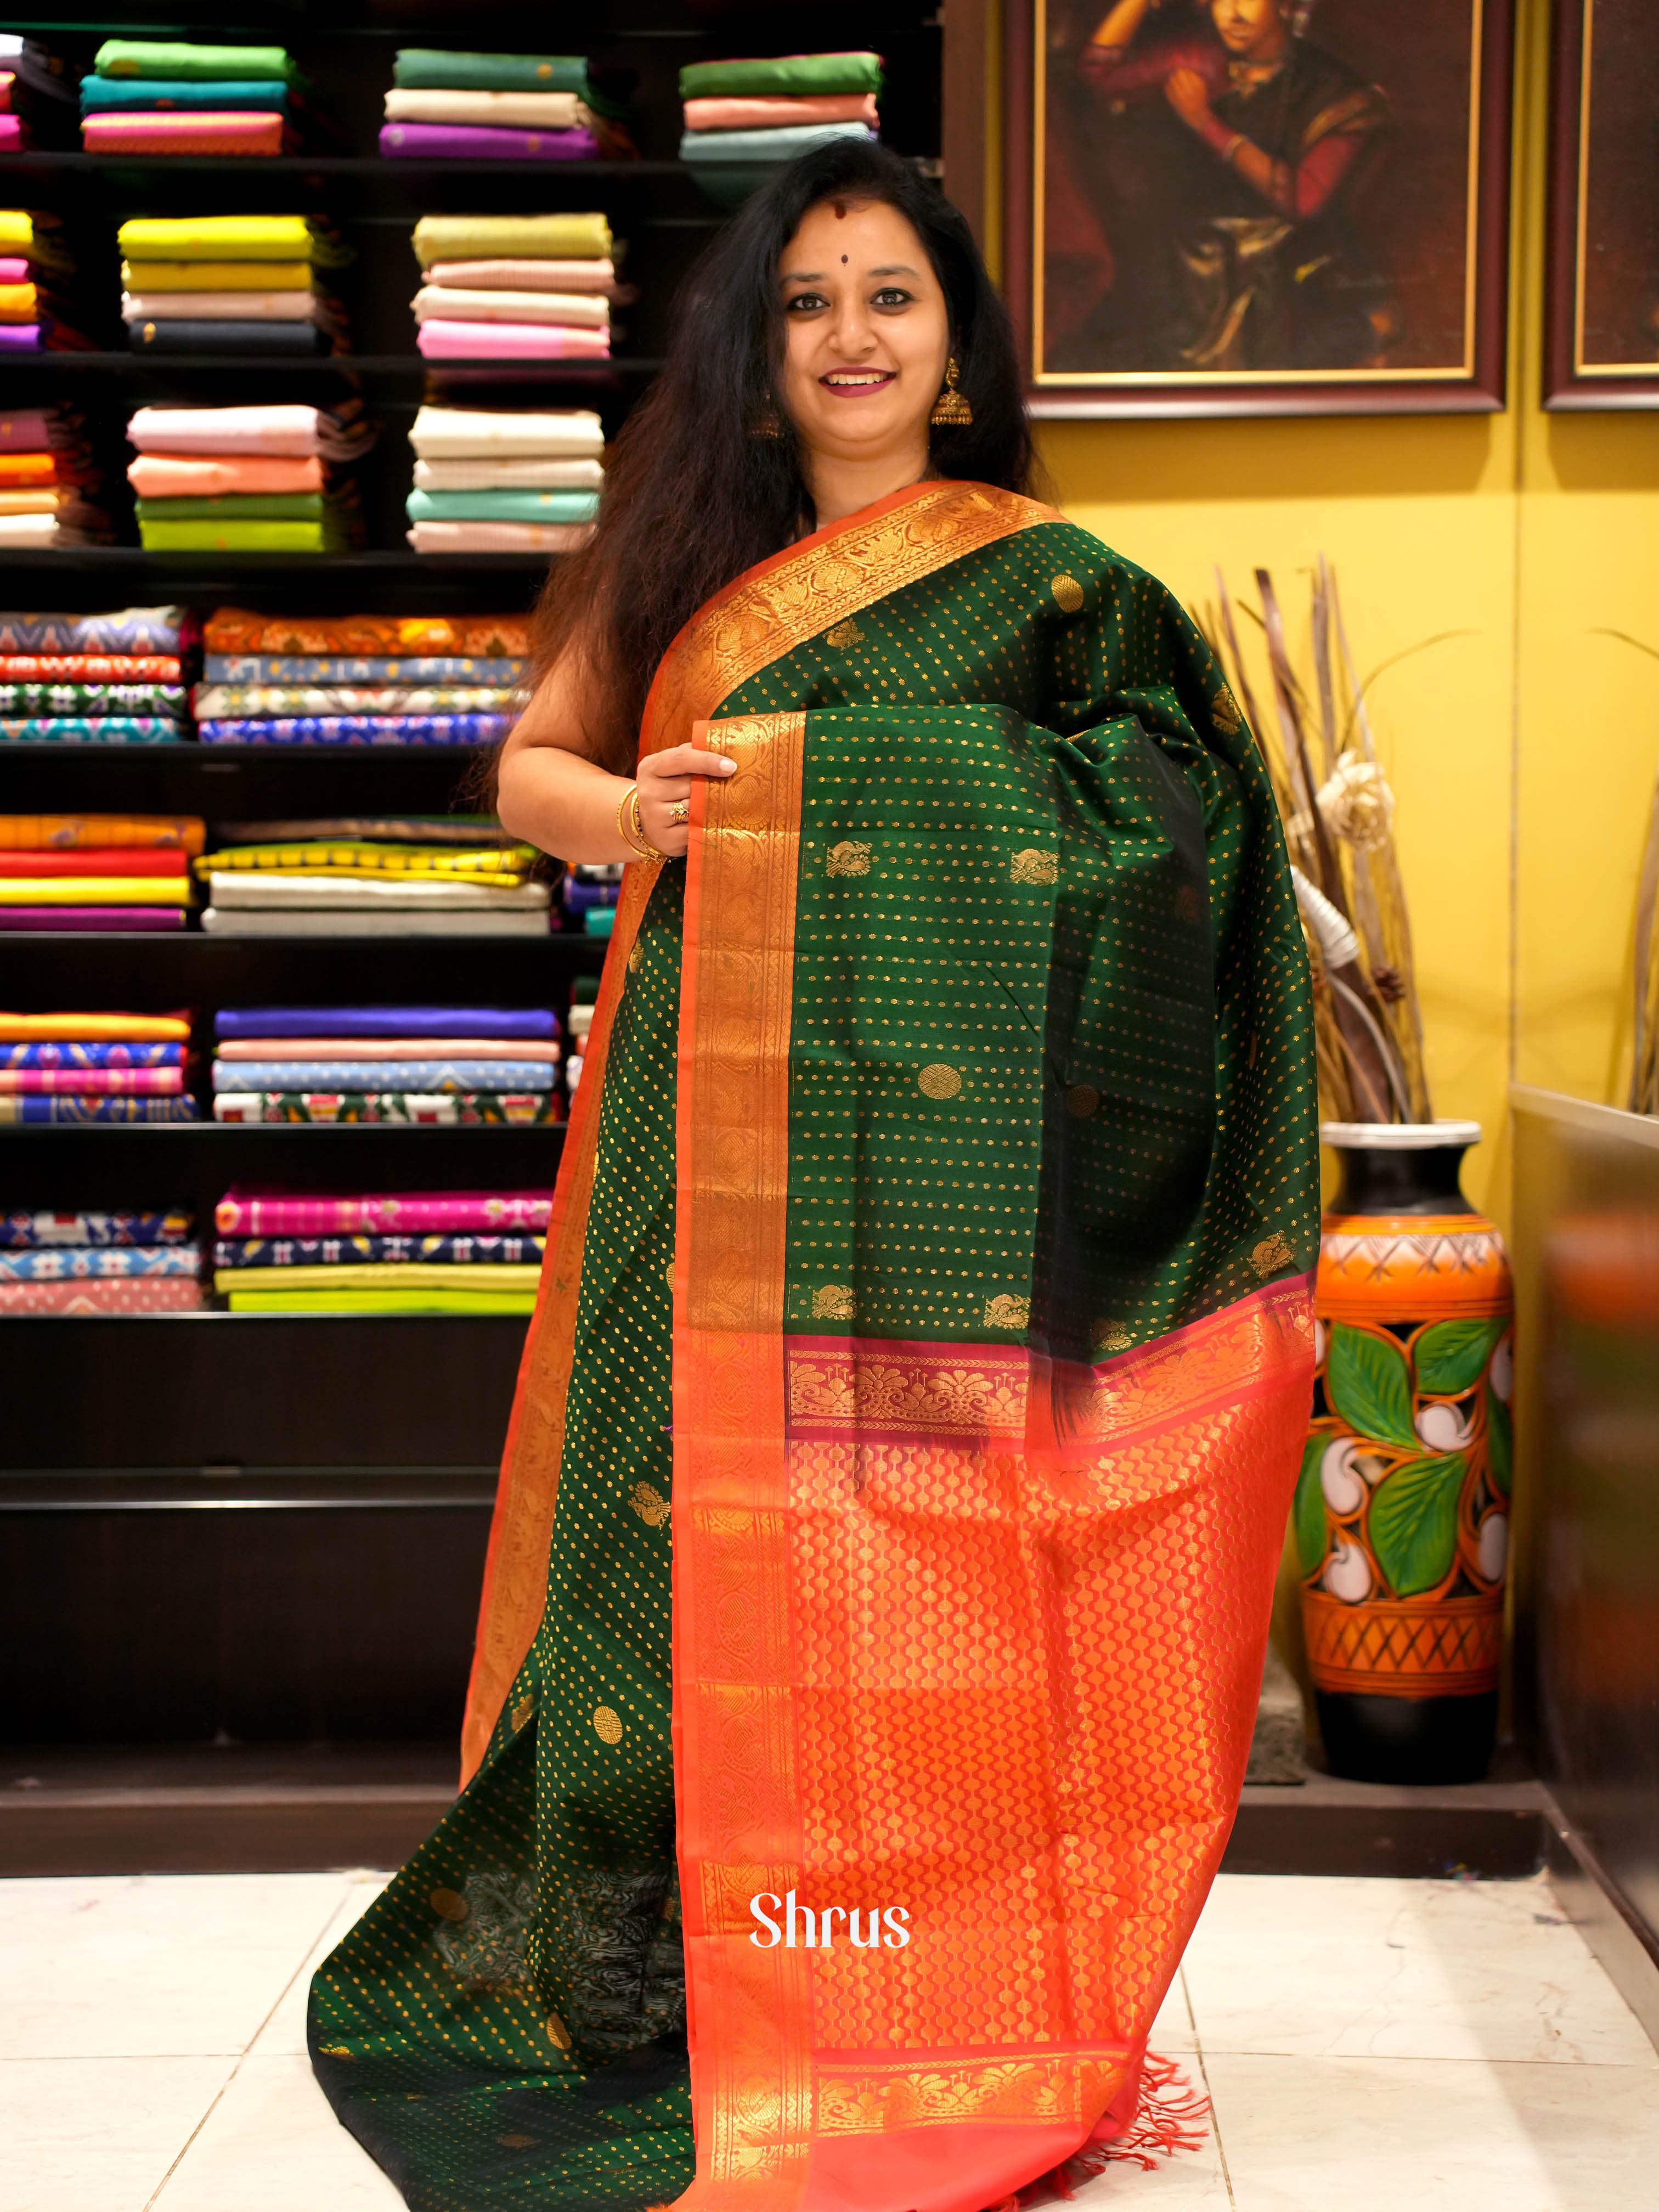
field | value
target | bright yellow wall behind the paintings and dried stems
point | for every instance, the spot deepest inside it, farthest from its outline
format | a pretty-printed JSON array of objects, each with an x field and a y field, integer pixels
[{"x": 1523, "y": 753}]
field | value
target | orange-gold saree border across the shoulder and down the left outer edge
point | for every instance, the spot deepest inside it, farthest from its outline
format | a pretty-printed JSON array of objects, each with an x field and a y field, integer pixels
[{"x": 762, "y": 616}]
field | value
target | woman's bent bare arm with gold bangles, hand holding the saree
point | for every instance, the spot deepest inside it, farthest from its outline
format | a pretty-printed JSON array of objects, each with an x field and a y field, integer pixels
[{"x": 554, "y": 795}]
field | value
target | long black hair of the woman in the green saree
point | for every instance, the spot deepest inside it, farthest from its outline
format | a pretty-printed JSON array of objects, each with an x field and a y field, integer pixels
[{"x": 693, "y": 497}]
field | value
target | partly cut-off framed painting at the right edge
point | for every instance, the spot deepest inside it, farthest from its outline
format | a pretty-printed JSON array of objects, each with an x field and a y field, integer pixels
[{"x": 1603, "y": 282}]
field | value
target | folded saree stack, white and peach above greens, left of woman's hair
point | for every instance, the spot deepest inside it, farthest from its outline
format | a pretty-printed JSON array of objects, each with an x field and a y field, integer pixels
[{"x": 249, "y": 479}]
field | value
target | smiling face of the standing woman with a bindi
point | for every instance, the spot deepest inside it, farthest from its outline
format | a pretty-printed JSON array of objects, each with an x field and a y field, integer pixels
[{"x": 866, "y": 331}]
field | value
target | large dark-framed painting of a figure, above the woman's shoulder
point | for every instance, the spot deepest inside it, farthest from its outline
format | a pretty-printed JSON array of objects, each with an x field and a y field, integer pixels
[{"x": 1260, "y": 207}]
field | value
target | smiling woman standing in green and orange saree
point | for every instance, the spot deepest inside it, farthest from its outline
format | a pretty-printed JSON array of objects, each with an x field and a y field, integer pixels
[{"x": 928, "y": 1266}]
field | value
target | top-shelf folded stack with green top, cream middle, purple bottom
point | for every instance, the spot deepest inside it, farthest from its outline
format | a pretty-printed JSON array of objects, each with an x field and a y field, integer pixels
[{"x": 499, "y": 107}]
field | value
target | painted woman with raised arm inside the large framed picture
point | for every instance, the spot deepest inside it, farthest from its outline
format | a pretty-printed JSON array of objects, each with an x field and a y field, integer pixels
[{"x": 1233, "y": 196}]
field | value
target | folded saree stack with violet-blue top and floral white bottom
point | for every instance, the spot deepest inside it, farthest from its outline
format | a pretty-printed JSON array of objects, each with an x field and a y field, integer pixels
[{"x": 419, "y": 1065}]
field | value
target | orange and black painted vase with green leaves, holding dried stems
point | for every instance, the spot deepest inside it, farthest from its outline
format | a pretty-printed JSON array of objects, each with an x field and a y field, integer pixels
[{"x": 1404, "y": 1499}]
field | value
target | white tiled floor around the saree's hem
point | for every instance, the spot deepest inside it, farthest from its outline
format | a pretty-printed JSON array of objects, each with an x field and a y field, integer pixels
[{"x": 1384, "y": 2047}]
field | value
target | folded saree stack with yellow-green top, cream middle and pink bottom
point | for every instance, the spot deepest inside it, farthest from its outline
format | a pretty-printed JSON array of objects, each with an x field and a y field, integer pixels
[{"x": 514, "y": 286}]
